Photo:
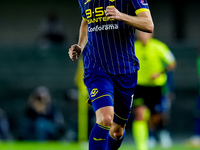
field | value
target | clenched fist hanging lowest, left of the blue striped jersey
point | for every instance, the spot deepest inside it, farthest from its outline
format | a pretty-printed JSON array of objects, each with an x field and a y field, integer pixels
[{"x": 74, "y": 52}]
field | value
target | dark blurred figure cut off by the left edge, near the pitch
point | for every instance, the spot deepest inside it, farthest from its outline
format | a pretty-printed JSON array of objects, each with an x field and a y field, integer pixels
[{"x": 4, "y": 126}]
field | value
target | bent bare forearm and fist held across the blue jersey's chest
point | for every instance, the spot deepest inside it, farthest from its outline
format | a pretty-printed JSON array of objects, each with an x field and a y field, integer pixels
[{"x": 143, "y": 21}]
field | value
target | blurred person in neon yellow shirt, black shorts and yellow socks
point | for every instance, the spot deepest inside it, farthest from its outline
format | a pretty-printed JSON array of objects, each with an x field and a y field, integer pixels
[{"x": 155, "y": 61}]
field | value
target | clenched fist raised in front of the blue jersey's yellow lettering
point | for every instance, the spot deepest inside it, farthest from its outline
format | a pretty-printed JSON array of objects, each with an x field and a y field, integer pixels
[{"x": 113, "y": 13}]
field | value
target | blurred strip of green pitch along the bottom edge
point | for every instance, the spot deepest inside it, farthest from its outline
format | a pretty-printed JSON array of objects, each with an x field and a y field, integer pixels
[{"x": 75, "y": 146}]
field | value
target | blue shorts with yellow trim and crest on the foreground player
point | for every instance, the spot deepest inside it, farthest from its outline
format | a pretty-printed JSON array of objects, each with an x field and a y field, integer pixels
[{"x": 111, "y": 90}]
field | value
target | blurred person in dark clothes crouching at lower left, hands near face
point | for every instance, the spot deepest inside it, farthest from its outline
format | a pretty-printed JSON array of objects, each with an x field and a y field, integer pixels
[{"x": 42, "y": 121}]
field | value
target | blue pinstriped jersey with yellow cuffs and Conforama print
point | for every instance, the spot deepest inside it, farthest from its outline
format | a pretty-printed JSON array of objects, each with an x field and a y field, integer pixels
[{"x": 110, "y": 43}]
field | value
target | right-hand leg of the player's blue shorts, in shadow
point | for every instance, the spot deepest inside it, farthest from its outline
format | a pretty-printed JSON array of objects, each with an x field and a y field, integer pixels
[{"x": 124, "y": 92}]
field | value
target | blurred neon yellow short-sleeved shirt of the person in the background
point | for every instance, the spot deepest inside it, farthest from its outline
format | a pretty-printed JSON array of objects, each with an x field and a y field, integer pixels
[{"x": 153, "y": 58}]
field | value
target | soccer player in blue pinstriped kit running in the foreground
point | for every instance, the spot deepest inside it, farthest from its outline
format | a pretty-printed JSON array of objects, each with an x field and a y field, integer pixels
[{"x": 110, "y": 63}]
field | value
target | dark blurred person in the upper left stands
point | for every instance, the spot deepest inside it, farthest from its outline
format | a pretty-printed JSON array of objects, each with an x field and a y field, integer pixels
[{"x": 52, "y": 33}]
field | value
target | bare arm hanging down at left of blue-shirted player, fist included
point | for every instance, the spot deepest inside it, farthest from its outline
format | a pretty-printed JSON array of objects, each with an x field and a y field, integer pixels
[{"x": 76, "y": 49}]
